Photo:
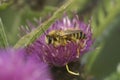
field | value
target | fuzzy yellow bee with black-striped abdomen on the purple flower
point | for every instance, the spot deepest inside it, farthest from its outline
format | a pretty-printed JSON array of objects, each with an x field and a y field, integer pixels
[{"x": 62, "y": 37}]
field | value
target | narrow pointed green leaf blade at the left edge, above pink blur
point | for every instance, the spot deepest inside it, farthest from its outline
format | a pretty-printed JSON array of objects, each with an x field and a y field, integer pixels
[{"x": 3, "y": 38}]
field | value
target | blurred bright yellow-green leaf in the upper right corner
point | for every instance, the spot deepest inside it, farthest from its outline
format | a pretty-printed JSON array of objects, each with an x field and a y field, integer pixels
[{"x": 106, "y": 12}]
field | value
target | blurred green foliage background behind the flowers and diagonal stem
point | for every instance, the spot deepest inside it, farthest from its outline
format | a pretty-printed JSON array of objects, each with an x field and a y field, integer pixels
[{"x": 103, "y": 60}]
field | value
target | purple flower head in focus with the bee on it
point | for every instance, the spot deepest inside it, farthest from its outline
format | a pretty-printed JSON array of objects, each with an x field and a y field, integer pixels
[{"x": 61, "y": 55}]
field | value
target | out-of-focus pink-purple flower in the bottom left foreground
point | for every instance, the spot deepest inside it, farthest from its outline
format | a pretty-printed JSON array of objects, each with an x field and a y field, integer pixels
[{"x": 14, "y": 65}]
